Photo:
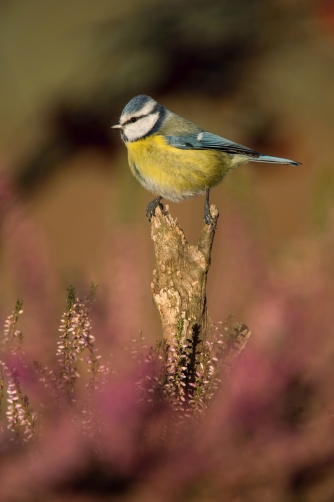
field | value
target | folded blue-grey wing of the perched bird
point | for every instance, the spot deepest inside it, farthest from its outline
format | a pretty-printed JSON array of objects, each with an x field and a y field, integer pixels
[{"x": 207, "y": 141}]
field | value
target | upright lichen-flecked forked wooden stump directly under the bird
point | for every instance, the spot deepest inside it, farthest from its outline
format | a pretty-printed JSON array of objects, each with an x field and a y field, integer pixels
[{"x": 179, "y": 280}]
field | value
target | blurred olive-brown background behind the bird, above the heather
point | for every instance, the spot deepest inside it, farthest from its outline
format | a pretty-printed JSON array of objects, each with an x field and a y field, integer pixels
[{"x": 258, "y": 72}]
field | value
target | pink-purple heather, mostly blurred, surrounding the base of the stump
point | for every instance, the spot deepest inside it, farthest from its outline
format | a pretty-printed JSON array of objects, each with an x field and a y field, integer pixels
[{"x": 126, "y": 419}]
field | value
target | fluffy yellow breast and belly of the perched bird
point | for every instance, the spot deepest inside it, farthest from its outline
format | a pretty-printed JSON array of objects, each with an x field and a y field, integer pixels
[{"x": 173, "y": 173}]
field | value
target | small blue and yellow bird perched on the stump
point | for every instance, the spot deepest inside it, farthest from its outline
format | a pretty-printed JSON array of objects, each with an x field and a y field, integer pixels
[{"x": 174, "y": 158}]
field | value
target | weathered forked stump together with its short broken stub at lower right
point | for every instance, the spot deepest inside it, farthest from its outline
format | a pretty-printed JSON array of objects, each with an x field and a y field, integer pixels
[{"x": 179, "y": 290}]
